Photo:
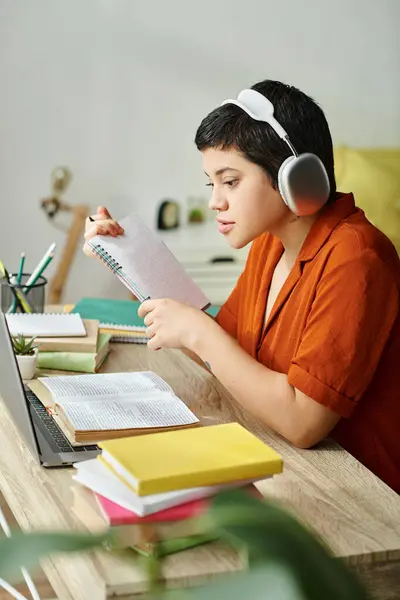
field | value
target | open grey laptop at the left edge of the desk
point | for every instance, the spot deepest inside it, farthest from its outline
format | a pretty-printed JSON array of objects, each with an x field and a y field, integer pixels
[{"x": 43, "y": 436}]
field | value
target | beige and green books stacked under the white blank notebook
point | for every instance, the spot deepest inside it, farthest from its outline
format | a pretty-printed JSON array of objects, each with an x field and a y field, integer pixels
[{"x": 81, "y": 354}]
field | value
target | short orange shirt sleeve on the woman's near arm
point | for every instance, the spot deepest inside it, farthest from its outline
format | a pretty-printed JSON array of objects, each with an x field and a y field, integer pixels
[{"x": 356, "y": 305}]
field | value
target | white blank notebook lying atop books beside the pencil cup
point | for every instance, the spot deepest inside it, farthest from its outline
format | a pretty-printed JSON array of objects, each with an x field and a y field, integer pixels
[{"x": 46, "y": 325}]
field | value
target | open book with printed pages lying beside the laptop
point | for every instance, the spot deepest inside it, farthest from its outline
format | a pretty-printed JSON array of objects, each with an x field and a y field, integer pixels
[{"x": 92, "y": 408}]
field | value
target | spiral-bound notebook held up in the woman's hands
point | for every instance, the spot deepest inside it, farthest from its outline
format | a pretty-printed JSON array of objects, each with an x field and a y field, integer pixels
[{"x": 145, "y": 265}]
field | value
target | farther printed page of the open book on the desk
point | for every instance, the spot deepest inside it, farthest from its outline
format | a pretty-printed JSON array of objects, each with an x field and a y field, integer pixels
[{"x": 104, "y": 385}]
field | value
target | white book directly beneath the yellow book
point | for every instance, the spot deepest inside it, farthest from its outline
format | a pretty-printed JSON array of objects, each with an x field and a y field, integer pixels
[{"x": 94, "y": 475}]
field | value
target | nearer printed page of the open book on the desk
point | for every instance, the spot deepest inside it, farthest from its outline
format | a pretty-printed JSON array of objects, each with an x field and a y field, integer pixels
[{"x": 157, "y": 409}]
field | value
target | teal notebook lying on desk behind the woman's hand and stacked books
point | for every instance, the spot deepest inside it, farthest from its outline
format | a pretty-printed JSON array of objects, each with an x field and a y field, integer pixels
[{"x": 118, "y": 314}]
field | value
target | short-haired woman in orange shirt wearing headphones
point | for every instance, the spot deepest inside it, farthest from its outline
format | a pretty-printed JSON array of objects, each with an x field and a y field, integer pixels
[{"x": 309, "y": 339}]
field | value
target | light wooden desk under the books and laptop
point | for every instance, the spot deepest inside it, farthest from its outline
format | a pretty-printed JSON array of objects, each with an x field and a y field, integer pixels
[{"x": 354, "y": 512}]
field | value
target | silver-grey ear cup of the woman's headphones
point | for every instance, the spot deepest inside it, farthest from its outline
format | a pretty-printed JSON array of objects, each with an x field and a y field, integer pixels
[{"x": 304, "y": 184}]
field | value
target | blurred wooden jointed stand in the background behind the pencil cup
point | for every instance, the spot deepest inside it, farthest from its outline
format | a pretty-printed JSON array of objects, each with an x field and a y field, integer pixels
[{"x": 60, "y": 179}]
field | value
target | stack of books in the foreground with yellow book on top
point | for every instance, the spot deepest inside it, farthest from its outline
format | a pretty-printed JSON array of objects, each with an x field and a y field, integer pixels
[{"x": 153, "y": 488}]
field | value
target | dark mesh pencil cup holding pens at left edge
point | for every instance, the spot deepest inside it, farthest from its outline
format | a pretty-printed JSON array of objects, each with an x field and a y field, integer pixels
[{"x": 34, "y": 296}]
